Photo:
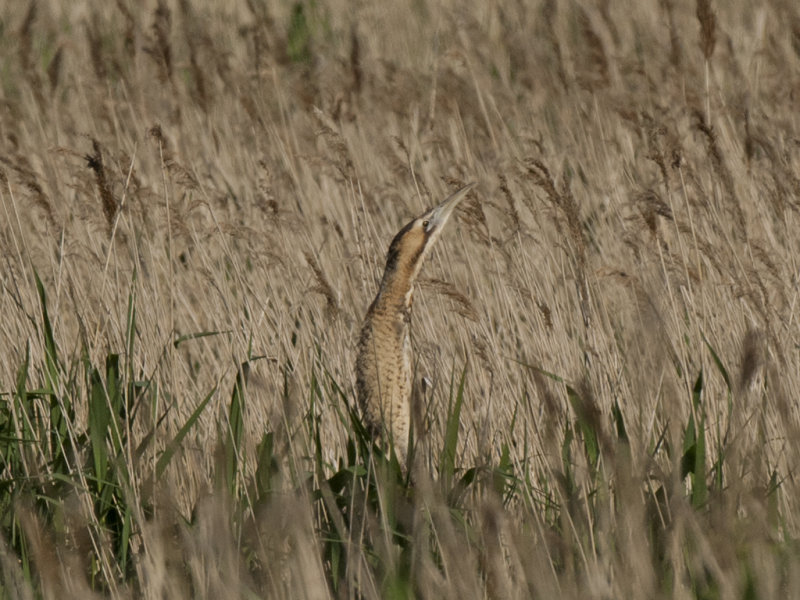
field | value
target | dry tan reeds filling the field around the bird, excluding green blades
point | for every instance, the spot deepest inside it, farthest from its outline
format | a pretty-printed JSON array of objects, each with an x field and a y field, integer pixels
[{"x": 238, "y": 170}]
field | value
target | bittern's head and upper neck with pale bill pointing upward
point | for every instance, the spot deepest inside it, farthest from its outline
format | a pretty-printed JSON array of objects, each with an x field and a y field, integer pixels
[{"x": 412, "y": 243}]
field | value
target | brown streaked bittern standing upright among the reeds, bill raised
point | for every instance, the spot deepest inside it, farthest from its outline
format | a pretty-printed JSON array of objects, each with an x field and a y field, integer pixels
[{"x": 384, "y": 363}]
